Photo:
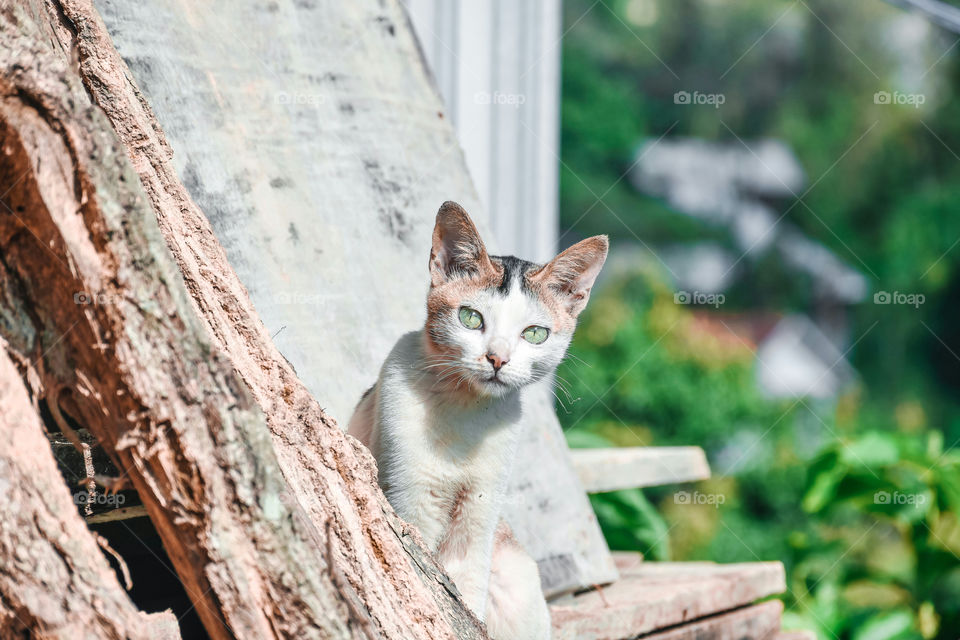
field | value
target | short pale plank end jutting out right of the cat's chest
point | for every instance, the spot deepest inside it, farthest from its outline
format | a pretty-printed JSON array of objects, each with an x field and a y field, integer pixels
[{"x": 610, "y": 469}]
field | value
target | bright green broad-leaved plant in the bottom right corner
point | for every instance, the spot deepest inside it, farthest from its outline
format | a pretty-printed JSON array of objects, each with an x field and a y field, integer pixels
[{"x": 885, "y": 552}]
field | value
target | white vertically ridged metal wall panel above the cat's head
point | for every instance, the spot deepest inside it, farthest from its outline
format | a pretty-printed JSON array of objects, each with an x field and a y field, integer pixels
[{"x": 497, "y": 67}]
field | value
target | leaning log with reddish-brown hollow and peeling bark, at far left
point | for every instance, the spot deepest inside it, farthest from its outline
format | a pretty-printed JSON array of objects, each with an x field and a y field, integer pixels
[{"x": 115, "y": 342}]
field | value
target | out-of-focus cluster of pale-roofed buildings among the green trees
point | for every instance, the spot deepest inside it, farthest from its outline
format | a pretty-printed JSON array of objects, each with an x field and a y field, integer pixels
[{"x": 737, "y": 186}]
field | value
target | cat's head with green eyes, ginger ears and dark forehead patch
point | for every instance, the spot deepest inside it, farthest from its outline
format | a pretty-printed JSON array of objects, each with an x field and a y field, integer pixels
[{"x": 495, "y": 324}]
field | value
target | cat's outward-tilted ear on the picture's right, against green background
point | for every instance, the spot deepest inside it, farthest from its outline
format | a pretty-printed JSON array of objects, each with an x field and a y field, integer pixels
[{"x": 572, "y": 273}]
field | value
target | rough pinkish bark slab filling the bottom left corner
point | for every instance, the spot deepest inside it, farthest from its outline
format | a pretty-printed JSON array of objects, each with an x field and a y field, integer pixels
[{"x": 54, "y": 577}]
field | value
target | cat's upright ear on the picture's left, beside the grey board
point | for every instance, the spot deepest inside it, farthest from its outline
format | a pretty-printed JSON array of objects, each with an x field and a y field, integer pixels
[{"x": 457, "y": 249}]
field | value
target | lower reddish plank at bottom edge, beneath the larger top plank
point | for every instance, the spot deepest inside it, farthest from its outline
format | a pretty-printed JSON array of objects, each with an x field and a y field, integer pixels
[{"x": 757, "y": 622}]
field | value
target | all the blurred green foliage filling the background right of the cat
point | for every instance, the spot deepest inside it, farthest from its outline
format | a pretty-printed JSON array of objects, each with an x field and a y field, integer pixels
[{"x": 800, "y": 481}]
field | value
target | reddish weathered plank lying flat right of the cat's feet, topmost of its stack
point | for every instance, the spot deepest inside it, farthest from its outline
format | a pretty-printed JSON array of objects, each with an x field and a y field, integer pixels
[{"x": 654, "y": 595}]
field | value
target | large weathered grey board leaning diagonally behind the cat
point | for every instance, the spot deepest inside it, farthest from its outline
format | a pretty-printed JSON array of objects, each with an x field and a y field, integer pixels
[{"x": 310, "y": 134}]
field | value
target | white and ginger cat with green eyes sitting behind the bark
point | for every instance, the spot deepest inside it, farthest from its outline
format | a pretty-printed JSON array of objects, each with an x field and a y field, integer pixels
[{"x": 444, "y": 416}]
